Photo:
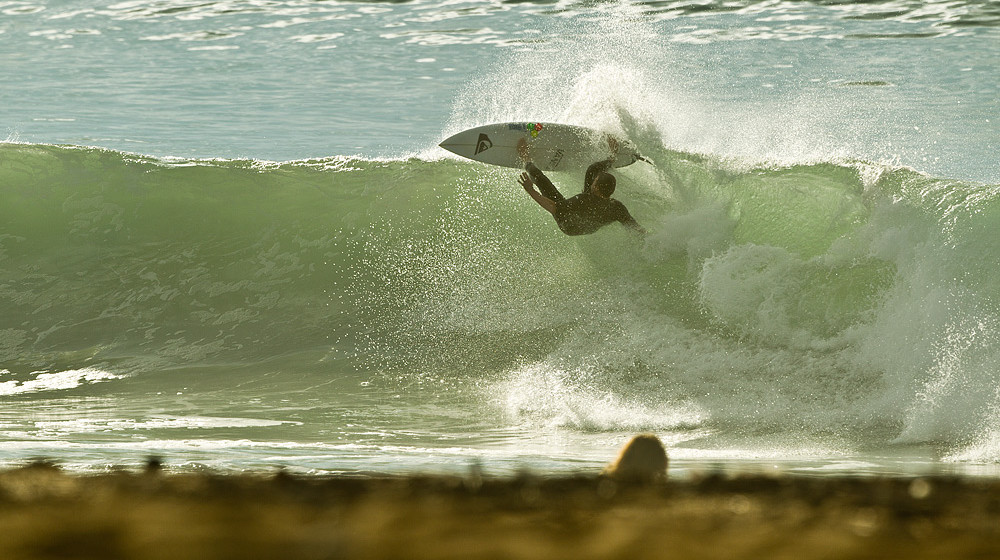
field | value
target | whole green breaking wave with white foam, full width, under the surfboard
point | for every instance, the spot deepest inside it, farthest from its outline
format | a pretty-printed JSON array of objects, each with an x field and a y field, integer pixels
[{"x": 837, "y": 300}]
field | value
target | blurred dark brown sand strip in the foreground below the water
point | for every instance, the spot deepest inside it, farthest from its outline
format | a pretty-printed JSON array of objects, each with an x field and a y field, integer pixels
[{"x": 46, "y": 513}]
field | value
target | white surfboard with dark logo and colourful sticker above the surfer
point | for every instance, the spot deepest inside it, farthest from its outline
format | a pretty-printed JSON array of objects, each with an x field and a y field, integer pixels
[{"x": 553, "y": 147}]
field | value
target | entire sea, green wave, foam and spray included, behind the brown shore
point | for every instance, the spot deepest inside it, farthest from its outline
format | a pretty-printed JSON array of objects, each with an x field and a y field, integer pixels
[{"x": 228, "y": 237}]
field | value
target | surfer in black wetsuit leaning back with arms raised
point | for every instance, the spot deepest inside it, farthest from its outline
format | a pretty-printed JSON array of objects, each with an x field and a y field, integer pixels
[{"x": 586, "y": 212}]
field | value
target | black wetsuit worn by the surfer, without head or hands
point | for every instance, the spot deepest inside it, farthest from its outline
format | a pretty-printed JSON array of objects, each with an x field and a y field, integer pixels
[{"x": 586, "y": 212}]
